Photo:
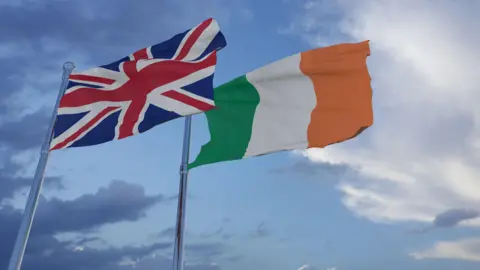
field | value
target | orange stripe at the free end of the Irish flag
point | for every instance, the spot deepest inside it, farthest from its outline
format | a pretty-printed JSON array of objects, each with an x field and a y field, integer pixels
[{"x": 344, "y": 96}]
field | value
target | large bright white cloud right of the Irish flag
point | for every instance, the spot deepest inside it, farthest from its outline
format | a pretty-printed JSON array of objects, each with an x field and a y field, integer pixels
[{"x": 422, "y": 155}]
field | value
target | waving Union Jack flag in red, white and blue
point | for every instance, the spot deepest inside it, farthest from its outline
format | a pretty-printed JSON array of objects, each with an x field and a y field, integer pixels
[{"x": 132, "y": 95}]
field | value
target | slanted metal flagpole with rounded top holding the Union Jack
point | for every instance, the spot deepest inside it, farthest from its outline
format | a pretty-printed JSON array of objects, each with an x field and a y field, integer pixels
[{"x": 32, "y": 201}]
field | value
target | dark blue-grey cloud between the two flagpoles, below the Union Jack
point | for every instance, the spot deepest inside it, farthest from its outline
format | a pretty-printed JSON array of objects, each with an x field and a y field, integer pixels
[{"x": 120, "y": 201}]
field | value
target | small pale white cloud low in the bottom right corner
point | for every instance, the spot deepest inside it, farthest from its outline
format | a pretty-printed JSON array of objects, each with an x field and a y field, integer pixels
[{"x": 467, "y": 249}]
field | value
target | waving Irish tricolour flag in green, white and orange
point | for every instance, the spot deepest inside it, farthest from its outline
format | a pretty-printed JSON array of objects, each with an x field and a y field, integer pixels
[{"x": 310, "y": 99}]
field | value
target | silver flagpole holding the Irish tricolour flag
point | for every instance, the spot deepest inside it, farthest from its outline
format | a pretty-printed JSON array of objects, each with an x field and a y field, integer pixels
[{"x": 182, "y": 199}]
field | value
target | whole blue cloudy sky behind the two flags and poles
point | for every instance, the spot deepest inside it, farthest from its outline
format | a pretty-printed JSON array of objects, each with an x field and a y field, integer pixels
[{"x": 403, "y": 195}]
